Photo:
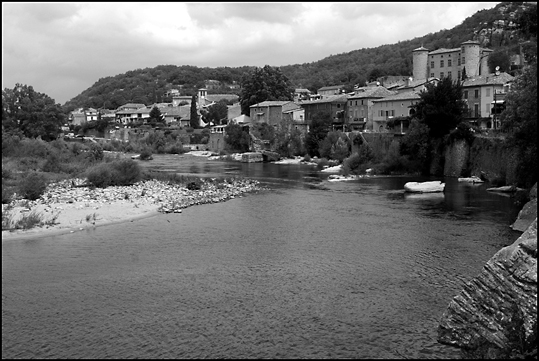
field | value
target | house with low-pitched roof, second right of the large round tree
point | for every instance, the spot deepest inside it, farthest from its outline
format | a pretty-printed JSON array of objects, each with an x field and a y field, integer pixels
[{"x": 333, "y": 106}]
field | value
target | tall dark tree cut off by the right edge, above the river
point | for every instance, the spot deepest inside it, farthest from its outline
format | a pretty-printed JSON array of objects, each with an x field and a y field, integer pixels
[{"x": 519, "y": 120}]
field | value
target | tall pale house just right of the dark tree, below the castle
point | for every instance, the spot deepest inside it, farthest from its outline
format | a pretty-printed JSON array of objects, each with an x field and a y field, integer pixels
[{"x": 482, "y": 94}]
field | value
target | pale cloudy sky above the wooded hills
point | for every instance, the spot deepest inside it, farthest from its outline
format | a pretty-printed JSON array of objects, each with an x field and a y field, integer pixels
[{"x": 62, "y": 49}]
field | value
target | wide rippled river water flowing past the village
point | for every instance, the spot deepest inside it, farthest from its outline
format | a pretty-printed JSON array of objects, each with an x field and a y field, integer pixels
[{"x": 306, "y": 269}]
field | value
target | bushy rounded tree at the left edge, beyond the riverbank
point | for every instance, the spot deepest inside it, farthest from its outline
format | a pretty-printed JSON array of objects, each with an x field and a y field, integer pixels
[{"x": 33, "y": 113}]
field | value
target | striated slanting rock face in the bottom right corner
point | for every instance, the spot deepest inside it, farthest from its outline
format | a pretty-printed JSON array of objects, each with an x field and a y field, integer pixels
[{"x": 481, "y": 314}]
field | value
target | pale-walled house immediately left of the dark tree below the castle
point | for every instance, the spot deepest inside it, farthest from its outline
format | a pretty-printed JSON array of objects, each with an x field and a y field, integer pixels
[{"x": 393, "y": 106}]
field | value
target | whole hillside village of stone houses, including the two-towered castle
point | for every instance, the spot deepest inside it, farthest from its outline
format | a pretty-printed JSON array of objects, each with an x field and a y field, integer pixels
[{"x": 381, "y": 106}]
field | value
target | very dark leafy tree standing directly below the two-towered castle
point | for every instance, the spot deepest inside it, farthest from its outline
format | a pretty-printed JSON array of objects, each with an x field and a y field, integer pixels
[{"x": 441, "y": 107}]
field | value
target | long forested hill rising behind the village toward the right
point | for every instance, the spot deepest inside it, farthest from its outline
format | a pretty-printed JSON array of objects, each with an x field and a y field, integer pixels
[{"x": 495, "y": 28}]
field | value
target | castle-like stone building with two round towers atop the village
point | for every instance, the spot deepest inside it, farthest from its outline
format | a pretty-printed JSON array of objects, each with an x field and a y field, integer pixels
[{"x": 451, "y": 63}]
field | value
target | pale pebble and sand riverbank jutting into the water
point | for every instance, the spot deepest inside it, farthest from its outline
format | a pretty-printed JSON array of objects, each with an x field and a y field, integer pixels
[{"x": 66, "y": 207}]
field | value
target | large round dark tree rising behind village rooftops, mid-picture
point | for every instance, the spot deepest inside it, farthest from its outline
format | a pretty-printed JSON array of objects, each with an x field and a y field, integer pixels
[{"x": 263, "y": 84}]
